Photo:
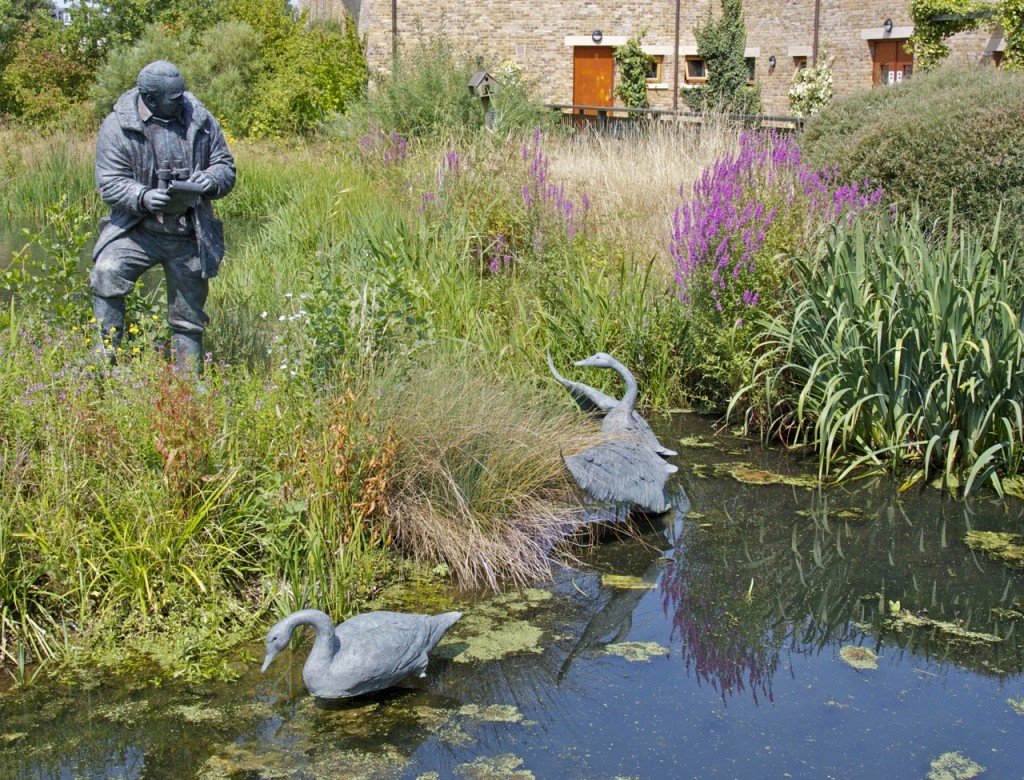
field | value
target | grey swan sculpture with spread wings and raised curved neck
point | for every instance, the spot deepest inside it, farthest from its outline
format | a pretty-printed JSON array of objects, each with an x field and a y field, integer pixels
[{"x": 628, "y": 466}]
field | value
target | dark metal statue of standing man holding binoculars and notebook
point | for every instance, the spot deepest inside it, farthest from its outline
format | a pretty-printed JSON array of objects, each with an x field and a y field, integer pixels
[{"x": 161, "y": 160}]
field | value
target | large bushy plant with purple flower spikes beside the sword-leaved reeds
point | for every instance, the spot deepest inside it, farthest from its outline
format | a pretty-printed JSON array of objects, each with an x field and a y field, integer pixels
[{"x": 731, "y": 243}]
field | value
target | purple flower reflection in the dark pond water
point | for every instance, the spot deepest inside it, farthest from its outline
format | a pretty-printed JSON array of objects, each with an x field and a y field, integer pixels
[{"x": 727, "y": 636}]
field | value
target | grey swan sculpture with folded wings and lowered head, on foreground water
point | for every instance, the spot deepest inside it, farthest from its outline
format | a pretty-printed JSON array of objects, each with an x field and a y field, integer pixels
[{"x": 368, "y": 653}]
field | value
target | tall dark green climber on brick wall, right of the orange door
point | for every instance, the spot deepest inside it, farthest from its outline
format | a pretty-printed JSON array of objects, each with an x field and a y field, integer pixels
[{"x": 721, "y": 44}]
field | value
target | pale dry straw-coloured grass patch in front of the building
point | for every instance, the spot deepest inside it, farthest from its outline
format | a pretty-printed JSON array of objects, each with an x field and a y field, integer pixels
[{"x": 634, "y": 184}]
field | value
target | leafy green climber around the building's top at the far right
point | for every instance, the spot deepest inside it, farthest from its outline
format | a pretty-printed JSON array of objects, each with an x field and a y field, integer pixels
[{"x": 934, "y": 21}]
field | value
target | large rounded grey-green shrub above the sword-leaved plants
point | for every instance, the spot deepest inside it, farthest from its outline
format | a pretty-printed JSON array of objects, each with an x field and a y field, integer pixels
[{"x": 957, "y": 131}]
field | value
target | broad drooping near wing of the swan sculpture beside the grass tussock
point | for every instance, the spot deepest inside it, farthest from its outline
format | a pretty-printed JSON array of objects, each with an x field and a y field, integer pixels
[{"x": 623, "y": 471}]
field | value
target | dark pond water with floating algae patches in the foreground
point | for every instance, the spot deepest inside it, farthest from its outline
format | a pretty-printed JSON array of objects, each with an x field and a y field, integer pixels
[{"x": 718, "y": 643}]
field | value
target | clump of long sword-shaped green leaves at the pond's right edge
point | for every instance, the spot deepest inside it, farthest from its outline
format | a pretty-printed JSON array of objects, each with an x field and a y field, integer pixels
[{"x": 893, "y": 352}]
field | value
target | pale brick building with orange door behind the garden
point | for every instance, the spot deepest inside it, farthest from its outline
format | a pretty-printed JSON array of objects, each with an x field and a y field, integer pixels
[{"x": 567, "y": 48}]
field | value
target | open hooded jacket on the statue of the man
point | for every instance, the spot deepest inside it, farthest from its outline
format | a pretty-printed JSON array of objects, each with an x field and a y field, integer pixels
[{"x": 126, "y": 168}]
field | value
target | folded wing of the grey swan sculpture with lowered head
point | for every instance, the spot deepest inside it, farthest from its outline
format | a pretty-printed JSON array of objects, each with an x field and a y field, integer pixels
[{"x": 378, "y": 649}]
